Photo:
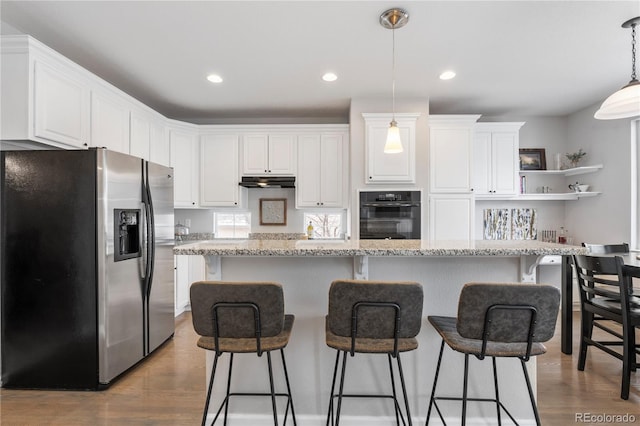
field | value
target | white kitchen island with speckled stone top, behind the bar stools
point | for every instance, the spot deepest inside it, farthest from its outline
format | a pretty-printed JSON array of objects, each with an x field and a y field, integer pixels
[{"x": 306, "y": 269}]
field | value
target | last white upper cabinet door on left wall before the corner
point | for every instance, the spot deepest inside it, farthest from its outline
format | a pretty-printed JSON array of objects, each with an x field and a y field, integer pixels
[{"x": 184, "y": 160}]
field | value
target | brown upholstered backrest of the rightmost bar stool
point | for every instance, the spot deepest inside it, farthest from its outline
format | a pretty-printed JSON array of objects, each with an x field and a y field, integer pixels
[{"x": 511, "y": 305}]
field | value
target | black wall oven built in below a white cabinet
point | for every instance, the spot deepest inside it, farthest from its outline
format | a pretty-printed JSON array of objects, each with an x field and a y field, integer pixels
[{"x": 389, "y": 215}]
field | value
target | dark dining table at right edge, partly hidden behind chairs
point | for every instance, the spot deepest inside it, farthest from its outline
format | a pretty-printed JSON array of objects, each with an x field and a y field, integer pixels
[{"x": 631, "y": 268}]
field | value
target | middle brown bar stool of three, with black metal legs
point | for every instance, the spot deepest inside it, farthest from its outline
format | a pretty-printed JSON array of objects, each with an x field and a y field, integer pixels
[{"x": 375, "y": 317}]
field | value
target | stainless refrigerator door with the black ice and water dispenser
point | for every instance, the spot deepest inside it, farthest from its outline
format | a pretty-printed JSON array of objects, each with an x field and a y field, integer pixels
[{"x": 120, "y": 282}]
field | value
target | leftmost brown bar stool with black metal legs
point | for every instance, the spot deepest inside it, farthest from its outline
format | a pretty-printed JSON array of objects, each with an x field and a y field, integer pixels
[{"x": 242, "y": 317}]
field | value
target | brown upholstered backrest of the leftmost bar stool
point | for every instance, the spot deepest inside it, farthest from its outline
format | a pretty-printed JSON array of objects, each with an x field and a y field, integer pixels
[{"x": 237, "y": 322}]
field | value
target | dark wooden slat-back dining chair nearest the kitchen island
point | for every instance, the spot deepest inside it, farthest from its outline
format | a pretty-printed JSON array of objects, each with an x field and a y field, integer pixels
[{"x": 607, "y": 303}]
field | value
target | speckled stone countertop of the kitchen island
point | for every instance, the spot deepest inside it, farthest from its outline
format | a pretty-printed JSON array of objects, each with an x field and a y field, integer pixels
[{"x": 375, "y": 248}]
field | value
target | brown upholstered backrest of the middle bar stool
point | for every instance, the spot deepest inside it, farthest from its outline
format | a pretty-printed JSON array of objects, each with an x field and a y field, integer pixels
[{"x": 375, "y": 322}]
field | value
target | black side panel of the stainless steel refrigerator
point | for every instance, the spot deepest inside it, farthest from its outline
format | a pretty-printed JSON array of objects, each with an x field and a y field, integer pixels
[{"x": 48, "y": 289}]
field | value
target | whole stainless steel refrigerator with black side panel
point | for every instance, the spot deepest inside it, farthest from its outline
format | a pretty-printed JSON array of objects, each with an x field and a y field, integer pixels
[{"x": 87, "y": 282}]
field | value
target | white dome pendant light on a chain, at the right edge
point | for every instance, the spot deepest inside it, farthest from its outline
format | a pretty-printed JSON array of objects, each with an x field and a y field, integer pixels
[{"x": 625, "y": 102}]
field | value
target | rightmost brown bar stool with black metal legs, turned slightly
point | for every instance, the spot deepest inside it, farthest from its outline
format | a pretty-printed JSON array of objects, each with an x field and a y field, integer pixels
[{"x": 497, "y": 320}]
